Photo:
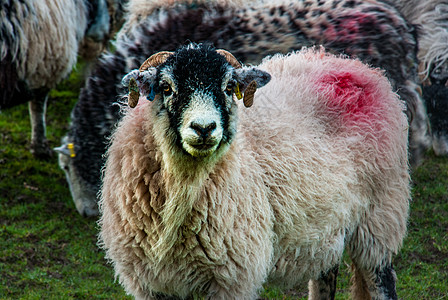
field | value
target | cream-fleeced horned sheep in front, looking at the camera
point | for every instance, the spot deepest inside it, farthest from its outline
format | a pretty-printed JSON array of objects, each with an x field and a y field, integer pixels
[{"x": 203, "y": 197}]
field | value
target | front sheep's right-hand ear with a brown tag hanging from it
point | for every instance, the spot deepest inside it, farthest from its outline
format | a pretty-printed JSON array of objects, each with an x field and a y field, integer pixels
[{"x": 249, "y": 79}]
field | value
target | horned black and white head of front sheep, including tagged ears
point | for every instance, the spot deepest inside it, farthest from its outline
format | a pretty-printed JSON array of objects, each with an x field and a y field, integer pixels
[{"x": 195, "y": 86}]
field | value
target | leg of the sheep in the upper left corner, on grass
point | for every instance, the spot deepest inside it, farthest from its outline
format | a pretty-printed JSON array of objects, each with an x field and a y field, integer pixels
[{"x": 37, "y": 109}]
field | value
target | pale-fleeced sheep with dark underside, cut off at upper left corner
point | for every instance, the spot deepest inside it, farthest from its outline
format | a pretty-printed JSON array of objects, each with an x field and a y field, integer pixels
[{"x": 39, "y": 43}]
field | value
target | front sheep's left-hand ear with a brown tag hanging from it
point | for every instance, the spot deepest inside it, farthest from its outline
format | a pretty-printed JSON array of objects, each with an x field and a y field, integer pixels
[{"x": 140, "y": 84}]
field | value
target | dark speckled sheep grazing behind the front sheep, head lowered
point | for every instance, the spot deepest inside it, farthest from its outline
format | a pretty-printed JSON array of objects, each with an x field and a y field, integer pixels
[{"x": 251, "y": 31}]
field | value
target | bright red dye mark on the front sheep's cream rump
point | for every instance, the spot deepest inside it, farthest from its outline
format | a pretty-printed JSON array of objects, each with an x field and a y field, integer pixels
[{"x": 348, "y": 96}]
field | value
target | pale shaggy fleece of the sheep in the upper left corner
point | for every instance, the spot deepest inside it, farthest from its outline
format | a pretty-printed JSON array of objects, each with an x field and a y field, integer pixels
[{"x": 41, "y": 39}]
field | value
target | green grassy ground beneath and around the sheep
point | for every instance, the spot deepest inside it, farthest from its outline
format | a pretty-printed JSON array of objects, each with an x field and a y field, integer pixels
[{"x": 48, "y": 251}]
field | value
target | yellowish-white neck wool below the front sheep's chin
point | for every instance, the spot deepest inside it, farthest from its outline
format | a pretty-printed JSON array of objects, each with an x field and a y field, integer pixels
[{"x": 185, "y": 179}]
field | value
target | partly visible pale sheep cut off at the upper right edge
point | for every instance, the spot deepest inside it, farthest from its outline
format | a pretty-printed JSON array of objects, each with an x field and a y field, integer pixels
[{"x": 431, "y": 16}]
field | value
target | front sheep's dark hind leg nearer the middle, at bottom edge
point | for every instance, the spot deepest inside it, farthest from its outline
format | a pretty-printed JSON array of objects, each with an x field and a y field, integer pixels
[{"x": 325, "y": 286}]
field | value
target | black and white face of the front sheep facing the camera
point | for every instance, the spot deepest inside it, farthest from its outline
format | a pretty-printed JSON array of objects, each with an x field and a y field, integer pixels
[{"x": 199, "y": 112}]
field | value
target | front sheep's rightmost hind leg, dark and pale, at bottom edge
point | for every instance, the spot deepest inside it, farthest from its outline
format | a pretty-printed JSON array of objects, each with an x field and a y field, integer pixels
[{"x": 376, "y": 285}]
